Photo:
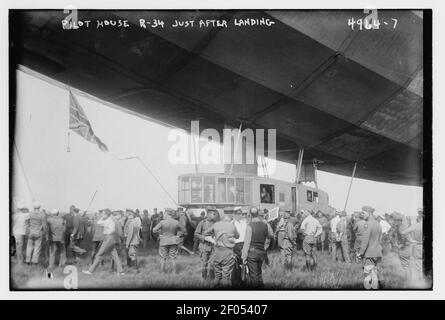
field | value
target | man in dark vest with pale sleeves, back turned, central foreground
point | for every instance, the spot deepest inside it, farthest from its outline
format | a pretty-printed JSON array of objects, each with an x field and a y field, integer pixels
[{"x": 253, "y": 250}]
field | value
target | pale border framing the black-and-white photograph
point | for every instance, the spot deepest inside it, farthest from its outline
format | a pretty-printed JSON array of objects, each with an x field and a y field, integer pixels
[{"x": 438, "y": 156}]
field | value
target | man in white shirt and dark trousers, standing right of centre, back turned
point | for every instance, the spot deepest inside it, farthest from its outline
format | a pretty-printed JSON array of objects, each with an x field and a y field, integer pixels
[{"x": 311, "y": 228}]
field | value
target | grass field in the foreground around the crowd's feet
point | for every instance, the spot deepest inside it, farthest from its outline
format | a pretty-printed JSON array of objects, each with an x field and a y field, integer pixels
[{"x": 328, "y": 275}]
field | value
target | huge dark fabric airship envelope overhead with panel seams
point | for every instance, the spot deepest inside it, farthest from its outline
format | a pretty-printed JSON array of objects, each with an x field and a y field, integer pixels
[{"x": 345, "y": 96}]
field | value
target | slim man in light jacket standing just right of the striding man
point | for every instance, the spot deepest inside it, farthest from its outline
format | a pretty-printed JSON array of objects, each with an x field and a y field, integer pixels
[{"x": 131, "y": 235}]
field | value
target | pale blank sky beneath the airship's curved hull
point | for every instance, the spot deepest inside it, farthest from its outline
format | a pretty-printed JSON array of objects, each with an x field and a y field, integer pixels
[{"x": 58, "y": 178}]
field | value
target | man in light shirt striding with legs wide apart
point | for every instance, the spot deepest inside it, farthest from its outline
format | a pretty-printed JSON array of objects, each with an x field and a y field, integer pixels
[{"x": 108, "y": 245}]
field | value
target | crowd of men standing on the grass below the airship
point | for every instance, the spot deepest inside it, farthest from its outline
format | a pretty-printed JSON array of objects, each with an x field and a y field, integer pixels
[{"x": 233, "y": 248}]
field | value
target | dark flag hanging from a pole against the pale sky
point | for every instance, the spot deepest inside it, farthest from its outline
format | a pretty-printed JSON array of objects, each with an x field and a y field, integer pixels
[{"x": 80, "y": 124}]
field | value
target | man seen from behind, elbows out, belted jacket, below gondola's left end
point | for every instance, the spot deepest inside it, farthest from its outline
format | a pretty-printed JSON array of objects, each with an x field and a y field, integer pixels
[{"x": 169, "y": 230}]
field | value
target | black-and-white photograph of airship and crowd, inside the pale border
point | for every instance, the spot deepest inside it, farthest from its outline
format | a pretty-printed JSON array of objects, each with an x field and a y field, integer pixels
[{"x": 220, "y": 149}]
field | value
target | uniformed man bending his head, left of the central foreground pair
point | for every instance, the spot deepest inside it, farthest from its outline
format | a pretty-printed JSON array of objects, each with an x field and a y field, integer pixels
[{"x": 205, "y": 247}]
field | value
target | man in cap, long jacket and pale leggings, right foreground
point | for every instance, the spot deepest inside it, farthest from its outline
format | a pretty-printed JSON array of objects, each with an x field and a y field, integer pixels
[{"x": 371, "y": 249}]
